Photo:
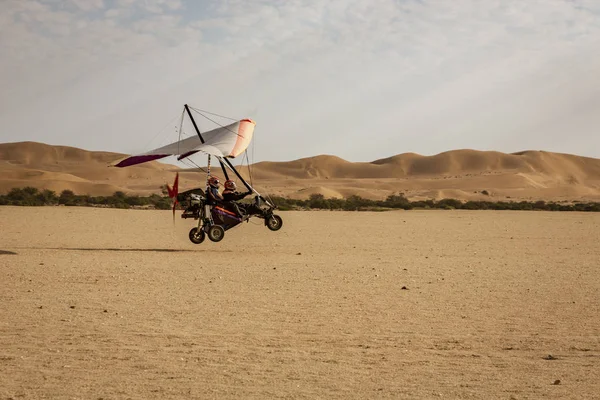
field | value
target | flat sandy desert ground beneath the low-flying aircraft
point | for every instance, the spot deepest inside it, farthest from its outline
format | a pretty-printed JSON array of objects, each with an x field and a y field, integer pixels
[{"x": 116, "y": 304}]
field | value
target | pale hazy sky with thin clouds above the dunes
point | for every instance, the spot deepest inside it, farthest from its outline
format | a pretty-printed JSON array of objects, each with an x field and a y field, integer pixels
[{"x": 359, "y": 79}]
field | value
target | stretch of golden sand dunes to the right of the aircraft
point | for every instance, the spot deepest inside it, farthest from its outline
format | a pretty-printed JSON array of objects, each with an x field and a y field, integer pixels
[{"x": 462, "y": 174}]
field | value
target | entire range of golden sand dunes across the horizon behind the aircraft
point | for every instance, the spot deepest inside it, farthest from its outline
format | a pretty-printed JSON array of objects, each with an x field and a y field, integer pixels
[{"x": 462, "y": 174}]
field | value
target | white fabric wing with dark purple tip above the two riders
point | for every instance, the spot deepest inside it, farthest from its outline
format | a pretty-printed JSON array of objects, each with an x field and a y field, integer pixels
[{"x": 226, "y": 141}]
